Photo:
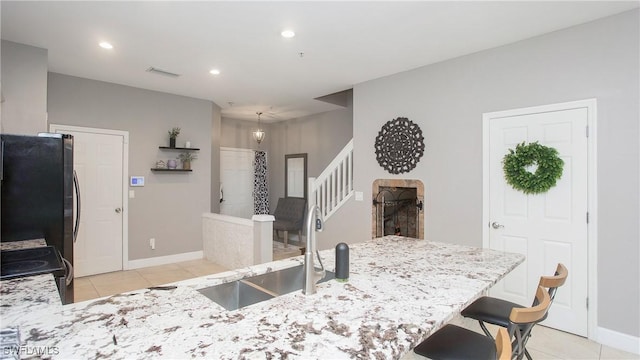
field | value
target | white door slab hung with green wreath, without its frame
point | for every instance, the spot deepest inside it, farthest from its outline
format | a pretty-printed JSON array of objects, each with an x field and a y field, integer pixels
[{"x": 548, "y": 228}]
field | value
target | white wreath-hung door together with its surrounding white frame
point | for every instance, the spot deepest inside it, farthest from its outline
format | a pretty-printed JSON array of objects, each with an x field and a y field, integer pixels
[{"x": 551, "y": 227}]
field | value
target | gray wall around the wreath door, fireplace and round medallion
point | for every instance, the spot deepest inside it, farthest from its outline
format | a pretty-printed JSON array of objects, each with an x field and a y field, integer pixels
[{"x": 595, "y": 60}]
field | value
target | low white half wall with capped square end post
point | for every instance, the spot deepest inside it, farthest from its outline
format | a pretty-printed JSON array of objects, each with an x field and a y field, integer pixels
[{"x": 235, "y": 242}]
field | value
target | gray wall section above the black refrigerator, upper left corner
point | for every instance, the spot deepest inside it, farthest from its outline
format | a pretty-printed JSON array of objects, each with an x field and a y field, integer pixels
[{"x": 24, "y": 89}]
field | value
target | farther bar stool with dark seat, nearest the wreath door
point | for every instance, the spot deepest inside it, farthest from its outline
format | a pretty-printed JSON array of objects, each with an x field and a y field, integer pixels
[{"x": 496, "y": 311}]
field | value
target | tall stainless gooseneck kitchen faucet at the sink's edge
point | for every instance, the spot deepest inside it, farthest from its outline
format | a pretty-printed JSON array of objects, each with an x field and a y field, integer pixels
[{"x": 311, "y": 276}]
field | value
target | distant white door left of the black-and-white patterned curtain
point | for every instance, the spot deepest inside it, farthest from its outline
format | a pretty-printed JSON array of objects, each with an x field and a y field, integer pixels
[{"x": 236, "y": 182}]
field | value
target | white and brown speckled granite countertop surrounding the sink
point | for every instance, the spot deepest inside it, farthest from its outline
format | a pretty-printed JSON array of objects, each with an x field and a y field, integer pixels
[{"x": 400, "y": 290}]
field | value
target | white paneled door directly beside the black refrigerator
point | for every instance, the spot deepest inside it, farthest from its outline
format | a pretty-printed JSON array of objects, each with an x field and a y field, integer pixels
[{"x": 98, "y": 161}]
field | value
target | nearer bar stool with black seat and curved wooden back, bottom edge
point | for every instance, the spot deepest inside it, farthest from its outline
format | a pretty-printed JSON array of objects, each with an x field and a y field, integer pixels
[{"x": 455, "y": 342}]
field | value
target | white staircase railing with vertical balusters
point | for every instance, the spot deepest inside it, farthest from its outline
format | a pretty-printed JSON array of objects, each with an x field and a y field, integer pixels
[{"x": 331, "y": 189}]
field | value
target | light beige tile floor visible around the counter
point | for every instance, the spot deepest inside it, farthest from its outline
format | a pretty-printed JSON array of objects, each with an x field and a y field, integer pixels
[{"x": 545, "y": 343}]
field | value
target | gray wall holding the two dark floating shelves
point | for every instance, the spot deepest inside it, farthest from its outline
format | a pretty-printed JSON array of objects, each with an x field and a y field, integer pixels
[{"x": 169, "y": 206}]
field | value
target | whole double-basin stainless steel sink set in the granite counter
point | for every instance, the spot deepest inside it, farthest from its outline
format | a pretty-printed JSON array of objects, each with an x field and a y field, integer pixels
[{"x": 238, "y": 294}]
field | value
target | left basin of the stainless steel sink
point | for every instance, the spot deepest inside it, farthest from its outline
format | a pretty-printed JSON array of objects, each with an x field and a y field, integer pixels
[{"x": 235, "y": 295}]
